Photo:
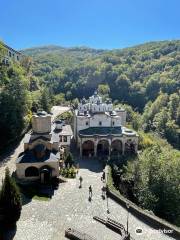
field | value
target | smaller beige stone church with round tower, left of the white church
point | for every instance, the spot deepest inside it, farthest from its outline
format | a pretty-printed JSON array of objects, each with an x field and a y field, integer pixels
[{"x": 43, "y": 149}]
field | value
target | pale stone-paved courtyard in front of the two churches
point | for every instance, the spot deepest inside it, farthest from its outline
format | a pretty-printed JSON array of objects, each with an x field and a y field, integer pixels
[{"x": 70, "y": 207}]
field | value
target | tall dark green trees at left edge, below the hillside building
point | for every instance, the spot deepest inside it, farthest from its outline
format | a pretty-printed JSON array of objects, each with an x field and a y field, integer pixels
[{"x": 15, "y": 102}]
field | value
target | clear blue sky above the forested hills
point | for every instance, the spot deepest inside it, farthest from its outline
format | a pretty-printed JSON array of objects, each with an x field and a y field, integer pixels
[{"x": 94, "y": 23}]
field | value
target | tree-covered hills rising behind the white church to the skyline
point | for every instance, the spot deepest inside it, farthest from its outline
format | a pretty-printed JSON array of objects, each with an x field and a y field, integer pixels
[{"x": 146, "y": 77}]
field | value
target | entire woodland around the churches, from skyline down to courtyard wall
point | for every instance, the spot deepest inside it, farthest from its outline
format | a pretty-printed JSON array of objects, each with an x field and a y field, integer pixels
[{"x": 145, "y": 80}]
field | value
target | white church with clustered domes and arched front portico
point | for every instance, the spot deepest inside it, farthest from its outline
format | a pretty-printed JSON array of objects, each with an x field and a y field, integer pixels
[{"x": 100, "y": 130}]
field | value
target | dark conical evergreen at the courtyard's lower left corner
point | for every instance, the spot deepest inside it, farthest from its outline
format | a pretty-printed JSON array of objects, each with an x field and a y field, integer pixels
[{"x": 10, "y": 201}]
